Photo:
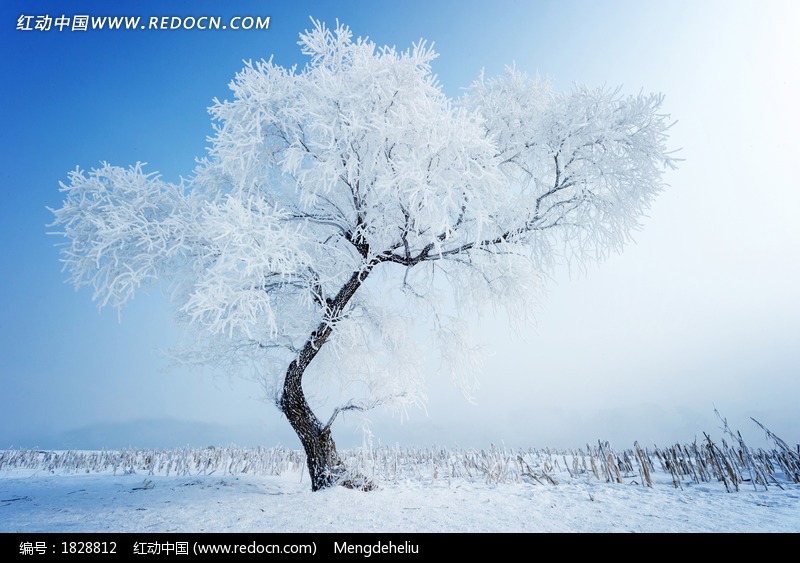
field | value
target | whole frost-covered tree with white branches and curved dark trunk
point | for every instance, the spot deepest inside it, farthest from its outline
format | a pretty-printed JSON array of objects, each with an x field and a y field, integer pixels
[{"x": 339, "y": 200}]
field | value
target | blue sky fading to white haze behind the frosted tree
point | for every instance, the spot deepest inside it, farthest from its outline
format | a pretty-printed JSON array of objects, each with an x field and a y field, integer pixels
[{"x": 701, "y": 311}]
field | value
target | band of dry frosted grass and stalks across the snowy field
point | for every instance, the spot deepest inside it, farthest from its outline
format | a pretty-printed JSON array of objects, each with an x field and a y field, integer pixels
[{"x": 733, "y": 465}]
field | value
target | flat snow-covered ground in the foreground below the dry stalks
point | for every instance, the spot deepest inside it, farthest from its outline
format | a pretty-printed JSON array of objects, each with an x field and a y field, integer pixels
[{"x": 35, "y": 500}]
